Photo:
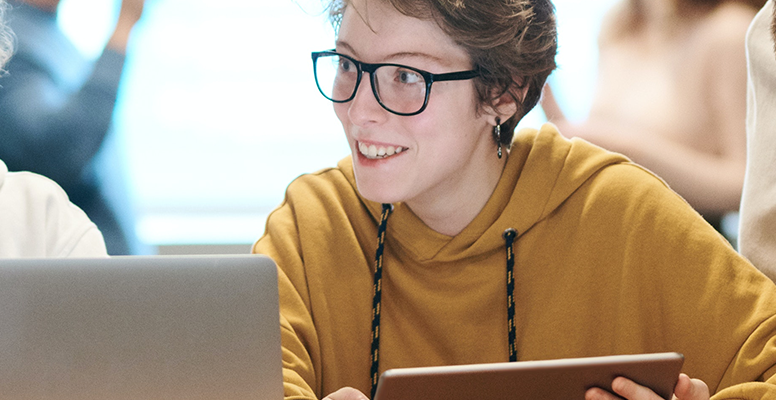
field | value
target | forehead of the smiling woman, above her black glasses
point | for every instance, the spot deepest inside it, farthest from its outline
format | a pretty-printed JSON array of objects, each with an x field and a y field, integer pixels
[{"x": 375, "y": 31}]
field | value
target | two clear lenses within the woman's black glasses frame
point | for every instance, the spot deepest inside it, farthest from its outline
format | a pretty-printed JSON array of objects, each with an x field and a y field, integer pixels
[{"x": 401, "y": 90}]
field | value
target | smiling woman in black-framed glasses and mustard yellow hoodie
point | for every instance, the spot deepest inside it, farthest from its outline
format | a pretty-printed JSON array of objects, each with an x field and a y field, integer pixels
[{"x": 546, "y": 249}]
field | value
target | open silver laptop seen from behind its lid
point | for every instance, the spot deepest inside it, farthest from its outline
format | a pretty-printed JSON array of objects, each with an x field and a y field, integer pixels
[{"x": 198, "y": 327}]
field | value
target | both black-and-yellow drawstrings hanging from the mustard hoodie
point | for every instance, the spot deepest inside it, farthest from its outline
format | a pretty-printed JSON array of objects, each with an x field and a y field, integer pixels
[{"x": 509, "y": 236}]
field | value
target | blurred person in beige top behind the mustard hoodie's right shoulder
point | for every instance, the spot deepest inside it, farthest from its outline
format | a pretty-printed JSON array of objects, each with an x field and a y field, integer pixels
[{"x": 671, "y": 95}]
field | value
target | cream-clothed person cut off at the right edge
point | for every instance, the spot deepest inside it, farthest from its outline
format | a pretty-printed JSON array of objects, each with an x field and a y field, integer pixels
[{"x": 758, "y": 205}]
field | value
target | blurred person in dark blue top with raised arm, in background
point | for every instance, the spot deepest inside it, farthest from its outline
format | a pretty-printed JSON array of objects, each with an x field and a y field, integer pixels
[{"x": 56, "y": 110}]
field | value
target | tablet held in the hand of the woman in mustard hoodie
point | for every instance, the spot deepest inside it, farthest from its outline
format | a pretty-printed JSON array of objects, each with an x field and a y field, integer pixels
[{"x": 563, "y": 379}]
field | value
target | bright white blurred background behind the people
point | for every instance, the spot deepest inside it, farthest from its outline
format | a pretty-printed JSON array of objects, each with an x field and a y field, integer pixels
[{"x": 218, "y": 109}]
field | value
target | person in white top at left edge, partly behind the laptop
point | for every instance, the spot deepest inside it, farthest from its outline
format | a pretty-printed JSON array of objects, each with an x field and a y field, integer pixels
[{"x": 36, "y": 217}]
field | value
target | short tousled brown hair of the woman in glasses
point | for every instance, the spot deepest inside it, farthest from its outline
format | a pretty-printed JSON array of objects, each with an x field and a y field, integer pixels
[{"x": 512, "y": 43}]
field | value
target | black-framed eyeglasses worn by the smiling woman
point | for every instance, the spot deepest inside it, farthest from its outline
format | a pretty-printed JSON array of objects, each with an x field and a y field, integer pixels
[{"x": 398, "y": 88}]
